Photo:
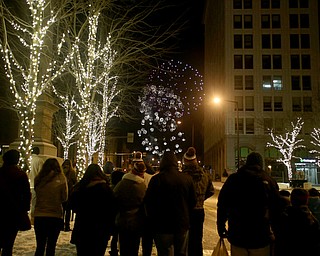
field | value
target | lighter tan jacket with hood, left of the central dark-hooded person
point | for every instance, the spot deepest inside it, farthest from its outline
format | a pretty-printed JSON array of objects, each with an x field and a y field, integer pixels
[{"x": 129, "y": 193}]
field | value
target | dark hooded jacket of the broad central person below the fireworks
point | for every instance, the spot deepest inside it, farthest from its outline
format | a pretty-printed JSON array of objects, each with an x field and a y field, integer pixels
[{"x": 170, "y": 197}]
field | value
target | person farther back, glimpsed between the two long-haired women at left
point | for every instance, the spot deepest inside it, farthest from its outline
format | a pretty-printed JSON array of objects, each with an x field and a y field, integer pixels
[{"x": 71, "y": 177}]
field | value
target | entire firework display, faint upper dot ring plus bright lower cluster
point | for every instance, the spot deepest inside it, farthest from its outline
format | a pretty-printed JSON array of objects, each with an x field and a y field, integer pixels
[{"x": 175, "y": 90}]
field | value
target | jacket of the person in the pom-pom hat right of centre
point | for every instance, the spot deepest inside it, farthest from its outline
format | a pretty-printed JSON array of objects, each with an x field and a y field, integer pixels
[{"x": 202, "y": 183}]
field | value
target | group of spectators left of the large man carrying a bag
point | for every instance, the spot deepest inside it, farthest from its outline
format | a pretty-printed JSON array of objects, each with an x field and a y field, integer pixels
[{"x": 164, "y": 208}]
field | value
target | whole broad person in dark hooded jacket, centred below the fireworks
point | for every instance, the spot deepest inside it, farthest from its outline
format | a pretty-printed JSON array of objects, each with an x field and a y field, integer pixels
[{"x": 169, "y": 200}]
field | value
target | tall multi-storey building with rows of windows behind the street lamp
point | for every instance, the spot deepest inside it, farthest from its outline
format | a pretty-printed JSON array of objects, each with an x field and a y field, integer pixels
[{"x": 262, "y": 60}]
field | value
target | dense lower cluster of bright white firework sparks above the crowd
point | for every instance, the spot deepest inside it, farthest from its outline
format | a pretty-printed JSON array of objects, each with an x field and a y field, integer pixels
[{"x": 161, "y": 108}]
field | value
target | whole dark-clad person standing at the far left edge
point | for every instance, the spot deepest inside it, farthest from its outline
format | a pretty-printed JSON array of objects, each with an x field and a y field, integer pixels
[{"x": 15, "y": 199}]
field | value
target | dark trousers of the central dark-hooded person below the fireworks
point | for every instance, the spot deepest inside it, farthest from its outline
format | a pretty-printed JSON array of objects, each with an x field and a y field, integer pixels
[{"x": 172, "y": 244}]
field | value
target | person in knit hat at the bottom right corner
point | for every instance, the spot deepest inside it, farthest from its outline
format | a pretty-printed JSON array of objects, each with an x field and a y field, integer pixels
[{"x": 298, "y": 232}]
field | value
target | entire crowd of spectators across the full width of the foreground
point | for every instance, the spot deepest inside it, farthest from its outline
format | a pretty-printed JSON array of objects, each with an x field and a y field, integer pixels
[{"x": 141, "y": 207}]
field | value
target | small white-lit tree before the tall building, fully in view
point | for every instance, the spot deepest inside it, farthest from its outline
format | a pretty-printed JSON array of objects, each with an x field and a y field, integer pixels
[{"x": 287, "y": 143}]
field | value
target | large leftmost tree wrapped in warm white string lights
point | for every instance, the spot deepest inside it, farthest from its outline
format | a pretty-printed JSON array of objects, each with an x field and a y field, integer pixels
[{"x": 29, "y": 64}]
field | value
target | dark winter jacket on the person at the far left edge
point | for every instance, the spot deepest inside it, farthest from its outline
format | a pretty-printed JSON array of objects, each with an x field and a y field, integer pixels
[{"x": 15, "y": 196}]
